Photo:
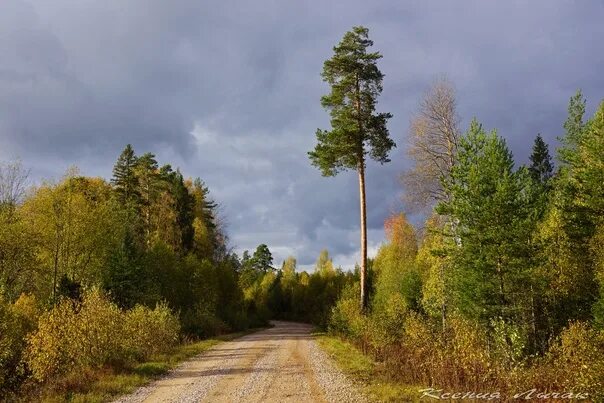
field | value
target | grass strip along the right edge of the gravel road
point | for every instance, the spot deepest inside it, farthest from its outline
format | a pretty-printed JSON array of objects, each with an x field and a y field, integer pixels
[{"x": 366, "y": 372}]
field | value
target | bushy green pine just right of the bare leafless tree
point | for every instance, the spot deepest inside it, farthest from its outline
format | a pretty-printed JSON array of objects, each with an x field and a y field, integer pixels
[{"x": 487, "y": 202}]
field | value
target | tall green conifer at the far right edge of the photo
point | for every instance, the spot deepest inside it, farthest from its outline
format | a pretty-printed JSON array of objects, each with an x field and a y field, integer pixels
[{"x": 568, "y": 234}]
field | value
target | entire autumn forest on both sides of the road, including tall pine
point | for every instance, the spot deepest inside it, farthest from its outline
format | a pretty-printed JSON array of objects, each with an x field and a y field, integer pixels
[{"x": 501, "y": 287}]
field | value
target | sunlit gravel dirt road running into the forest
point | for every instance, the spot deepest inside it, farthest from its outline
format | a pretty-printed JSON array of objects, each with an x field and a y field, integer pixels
[{"x": 280, "y": 364}]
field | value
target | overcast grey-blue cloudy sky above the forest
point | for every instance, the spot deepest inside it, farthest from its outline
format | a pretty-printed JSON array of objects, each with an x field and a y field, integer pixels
[{"x": 229, "y": 91}]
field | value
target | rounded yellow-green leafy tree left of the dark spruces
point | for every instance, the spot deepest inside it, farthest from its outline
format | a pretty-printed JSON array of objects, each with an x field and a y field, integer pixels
[{"x": 76, "y": 224}]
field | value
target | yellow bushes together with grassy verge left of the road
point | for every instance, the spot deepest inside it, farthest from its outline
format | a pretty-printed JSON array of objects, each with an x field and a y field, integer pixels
[{"x": 88, "y": 349}]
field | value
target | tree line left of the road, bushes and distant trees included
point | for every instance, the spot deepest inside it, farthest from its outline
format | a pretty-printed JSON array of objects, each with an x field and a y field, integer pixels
[{"x": 96, "y": 272}]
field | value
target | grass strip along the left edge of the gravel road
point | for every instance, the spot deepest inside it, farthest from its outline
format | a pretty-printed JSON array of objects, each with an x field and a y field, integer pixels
[{"x": 106, "y": 384}]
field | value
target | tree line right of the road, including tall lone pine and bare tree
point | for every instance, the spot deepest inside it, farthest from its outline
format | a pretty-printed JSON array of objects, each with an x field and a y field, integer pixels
[{"x": 503, "y": 285}]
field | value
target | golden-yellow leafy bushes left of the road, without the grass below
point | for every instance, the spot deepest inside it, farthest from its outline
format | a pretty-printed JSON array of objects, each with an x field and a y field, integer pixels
[{"x": 74, "y": 335}]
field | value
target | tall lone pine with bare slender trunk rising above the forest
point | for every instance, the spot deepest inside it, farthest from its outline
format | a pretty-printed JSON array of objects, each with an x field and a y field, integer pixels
[{"x": 357, "y": 130}]
